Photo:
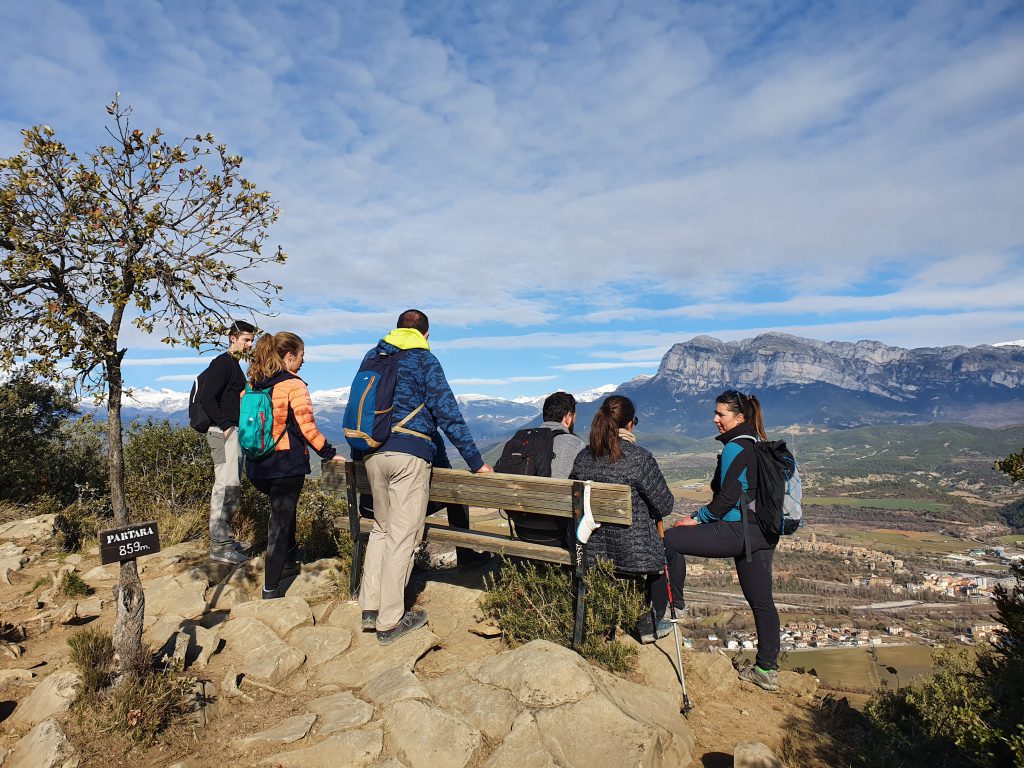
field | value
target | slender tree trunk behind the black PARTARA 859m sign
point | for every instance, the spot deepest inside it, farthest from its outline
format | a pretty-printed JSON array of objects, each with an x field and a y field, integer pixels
[{"x": 129, "y": 594}]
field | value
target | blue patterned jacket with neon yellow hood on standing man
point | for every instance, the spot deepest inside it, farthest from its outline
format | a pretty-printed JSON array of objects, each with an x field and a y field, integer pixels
[{"x": 423, "y": 402}]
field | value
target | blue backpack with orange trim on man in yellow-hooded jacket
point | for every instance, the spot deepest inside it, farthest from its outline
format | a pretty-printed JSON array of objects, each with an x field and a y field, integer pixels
[{"x": 367, "y": 423}]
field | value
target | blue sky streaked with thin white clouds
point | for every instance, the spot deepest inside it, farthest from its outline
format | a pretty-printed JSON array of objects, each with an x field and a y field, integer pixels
[{"x": 570, "y": 189}]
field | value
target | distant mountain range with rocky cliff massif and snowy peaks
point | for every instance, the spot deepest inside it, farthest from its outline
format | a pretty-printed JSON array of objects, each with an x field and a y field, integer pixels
[{"x": 831, "y": 385}]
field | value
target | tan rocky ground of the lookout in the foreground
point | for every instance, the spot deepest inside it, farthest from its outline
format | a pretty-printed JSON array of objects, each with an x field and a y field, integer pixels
[{"x": 295, "y": 682}]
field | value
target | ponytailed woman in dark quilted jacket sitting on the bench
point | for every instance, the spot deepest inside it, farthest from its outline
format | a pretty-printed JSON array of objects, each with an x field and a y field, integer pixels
[{"x": 637, "y": 551}]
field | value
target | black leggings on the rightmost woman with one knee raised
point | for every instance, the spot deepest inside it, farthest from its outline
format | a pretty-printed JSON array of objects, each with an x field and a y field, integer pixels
[{"x": 727, "y": 540}]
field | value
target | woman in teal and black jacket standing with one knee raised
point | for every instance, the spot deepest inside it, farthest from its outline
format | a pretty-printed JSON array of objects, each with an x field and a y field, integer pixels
[{"x": 717, "y": 531}]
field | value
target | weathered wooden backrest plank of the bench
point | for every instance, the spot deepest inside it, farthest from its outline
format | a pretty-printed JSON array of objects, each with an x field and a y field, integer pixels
[{"x": 609, "y": 502}]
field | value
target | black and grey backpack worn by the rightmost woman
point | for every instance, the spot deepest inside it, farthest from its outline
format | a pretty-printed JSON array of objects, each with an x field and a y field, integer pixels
[{"x": 778, "y": 504}]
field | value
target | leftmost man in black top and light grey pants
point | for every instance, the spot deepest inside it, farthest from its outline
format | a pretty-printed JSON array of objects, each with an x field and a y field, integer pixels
[{"x": 221, "y": 398}]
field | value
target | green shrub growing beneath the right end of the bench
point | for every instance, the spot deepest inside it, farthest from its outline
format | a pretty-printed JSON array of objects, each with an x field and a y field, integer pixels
[{"x": 533, "y": 602}]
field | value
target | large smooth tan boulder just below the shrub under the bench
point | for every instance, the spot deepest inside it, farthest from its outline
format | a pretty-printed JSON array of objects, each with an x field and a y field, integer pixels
[{"x": 538, "y": 674}]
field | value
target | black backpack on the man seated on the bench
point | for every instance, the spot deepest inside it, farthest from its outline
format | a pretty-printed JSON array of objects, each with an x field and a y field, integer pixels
[{"x": 530, "y": 453}]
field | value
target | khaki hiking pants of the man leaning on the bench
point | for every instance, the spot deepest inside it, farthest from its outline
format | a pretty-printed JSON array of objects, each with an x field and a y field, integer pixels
[{"x": 401, "y": 486}]
